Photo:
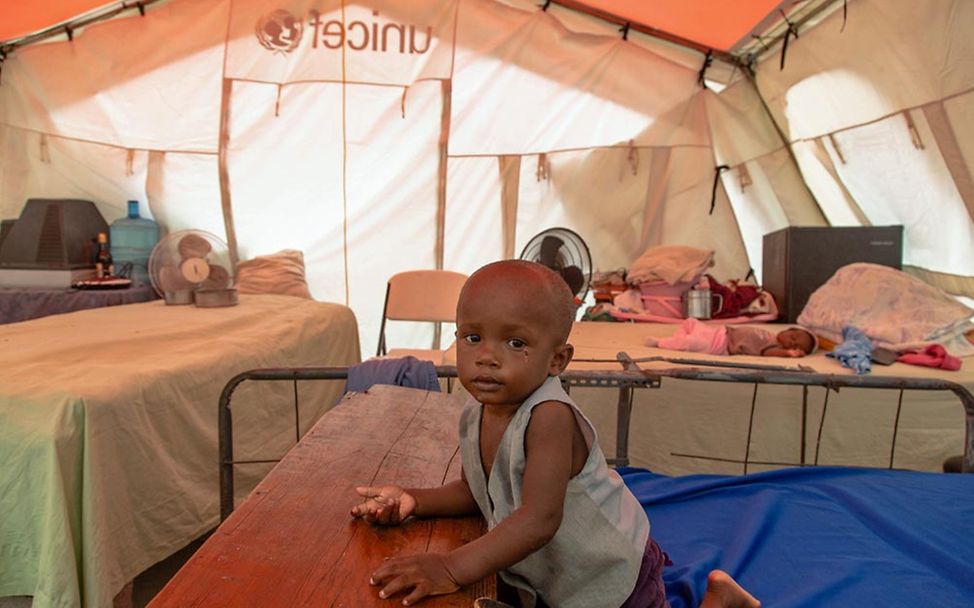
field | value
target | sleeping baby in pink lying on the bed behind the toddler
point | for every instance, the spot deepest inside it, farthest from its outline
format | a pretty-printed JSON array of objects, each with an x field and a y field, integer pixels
[{"x": 697, "y": 337}]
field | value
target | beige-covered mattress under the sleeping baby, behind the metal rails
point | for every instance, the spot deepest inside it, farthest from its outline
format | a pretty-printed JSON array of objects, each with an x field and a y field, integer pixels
[{"x": 712, "y": 418}]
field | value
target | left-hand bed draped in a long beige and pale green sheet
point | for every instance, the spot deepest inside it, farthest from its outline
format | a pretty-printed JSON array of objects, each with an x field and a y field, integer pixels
[{"x": 108, "y": 431}]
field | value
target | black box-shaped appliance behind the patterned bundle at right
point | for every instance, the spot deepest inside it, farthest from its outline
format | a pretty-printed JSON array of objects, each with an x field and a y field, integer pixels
[{"x": 800, "y": 259}]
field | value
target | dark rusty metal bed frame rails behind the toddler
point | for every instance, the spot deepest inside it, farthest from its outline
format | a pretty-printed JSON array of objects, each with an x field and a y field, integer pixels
[{"x": 628, "y": 378}]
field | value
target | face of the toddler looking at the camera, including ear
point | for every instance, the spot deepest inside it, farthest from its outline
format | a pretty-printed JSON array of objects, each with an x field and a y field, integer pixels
[{"x": 506, "y": 347}]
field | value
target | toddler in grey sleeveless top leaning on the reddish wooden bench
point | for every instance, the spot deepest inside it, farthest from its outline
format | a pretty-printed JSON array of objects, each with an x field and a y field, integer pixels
[{"x": 563, "y": 529}]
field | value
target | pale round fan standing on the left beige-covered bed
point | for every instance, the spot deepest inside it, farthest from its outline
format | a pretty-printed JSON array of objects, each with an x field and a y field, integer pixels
[{"x": 192, "y": 265}]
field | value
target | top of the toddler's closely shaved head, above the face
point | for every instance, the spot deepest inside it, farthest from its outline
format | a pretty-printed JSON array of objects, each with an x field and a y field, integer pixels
[{"x": 535, "y": 285}]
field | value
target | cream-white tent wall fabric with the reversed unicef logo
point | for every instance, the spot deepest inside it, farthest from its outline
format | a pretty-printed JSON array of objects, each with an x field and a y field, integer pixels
[{"x": 398, "y": 135}]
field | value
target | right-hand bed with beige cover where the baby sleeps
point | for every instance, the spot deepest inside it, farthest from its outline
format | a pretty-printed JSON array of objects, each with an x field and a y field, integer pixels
[{"x": 705, "y": 418}]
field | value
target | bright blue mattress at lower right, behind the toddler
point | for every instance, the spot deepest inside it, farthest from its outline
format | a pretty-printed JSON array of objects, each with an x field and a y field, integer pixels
[{"x": 814, "y": 537}]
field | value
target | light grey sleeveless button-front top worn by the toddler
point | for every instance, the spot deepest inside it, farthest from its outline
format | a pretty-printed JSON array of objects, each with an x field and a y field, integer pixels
[{"x": 594, "y": 558}]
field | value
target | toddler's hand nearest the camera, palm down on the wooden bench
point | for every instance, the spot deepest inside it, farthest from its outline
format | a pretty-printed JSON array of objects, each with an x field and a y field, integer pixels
[{"x": 426, "y": 574}]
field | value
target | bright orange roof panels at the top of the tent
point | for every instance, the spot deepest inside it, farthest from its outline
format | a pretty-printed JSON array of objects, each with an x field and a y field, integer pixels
[{"x": 715, "y": 24}]
